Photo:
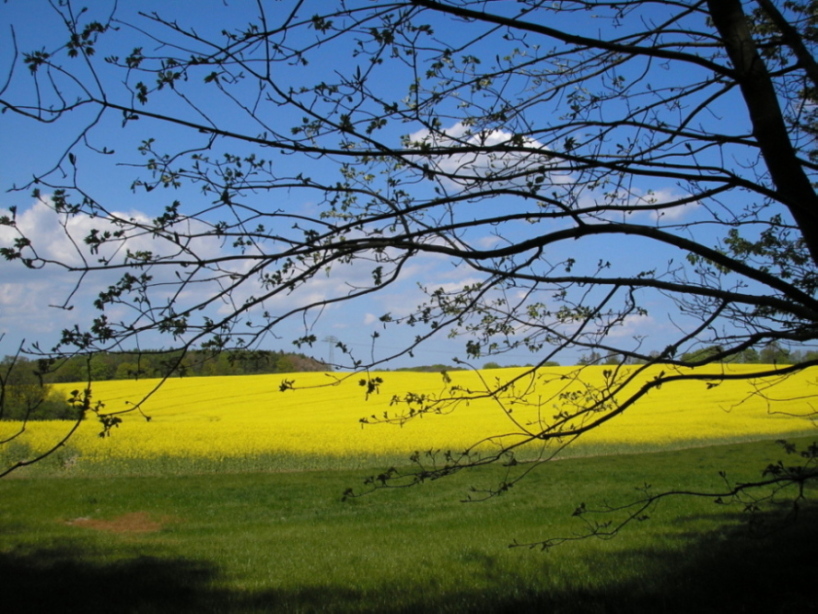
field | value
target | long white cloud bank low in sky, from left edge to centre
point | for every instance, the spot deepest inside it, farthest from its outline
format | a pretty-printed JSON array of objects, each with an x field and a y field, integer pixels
[{"x": 26, "y": 293}]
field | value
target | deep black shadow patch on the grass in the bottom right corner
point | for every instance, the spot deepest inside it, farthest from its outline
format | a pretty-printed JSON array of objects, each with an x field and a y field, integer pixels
[{"x": 733, "y": 569}]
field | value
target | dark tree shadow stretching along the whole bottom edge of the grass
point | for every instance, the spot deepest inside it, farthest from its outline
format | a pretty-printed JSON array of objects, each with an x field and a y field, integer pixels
[{"x": 724, "y": 571}]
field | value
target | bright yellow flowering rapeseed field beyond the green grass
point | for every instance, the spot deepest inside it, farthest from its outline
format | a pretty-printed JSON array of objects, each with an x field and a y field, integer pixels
[{"x": 247, "y": 416}]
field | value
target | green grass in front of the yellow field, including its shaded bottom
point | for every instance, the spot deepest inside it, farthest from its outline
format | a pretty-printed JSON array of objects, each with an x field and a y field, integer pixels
[{"x": 268, "y": 542}]
